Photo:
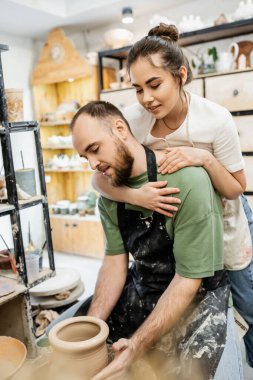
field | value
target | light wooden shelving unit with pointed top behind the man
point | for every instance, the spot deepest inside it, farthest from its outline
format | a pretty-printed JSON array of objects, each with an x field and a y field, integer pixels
[{"x": 51, "y": 90}]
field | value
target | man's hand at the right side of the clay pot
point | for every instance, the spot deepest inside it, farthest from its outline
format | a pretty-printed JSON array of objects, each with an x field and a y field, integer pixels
[{"x": 118, "y": 368}]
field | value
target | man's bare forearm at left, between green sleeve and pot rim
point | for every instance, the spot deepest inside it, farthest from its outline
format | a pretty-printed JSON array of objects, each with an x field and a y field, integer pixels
[{"x": 109, "y": 286}]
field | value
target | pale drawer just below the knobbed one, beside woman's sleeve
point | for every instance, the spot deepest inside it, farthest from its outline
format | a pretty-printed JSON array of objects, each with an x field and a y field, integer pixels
[{"x": 245, "y": 129}]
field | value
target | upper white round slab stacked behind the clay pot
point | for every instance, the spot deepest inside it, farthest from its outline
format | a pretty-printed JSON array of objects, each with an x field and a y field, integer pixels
[{"x": 65, "y": 279}]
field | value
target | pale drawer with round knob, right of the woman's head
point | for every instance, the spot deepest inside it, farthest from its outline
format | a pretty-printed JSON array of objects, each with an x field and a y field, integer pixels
[{"x": 233, "y": 91}]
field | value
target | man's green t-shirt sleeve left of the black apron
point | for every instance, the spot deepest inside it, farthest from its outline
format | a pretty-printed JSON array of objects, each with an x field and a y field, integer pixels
[{"x": 108, "y": 215}]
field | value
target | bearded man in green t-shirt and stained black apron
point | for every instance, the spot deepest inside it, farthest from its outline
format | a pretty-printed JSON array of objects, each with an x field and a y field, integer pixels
[{"x": 173, "y": 299}]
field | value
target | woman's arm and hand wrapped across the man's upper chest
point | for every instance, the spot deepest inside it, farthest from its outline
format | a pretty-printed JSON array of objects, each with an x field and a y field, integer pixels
[{"x": 153, "y": 196}]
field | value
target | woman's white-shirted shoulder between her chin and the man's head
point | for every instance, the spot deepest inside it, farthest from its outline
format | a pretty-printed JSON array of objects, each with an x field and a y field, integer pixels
[{"x": 140, "y": 121}]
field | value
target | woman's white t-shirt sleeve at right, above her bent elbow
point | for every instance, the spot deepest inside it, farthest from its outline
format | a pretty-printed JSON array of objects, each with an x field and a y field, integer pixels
[{"x": 227, "y": 148}]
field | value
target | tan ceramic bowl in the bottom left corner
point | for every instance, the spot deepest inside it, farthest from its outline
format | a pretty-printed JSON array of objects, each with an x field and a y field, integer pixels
[{"x": 12, "y": 356}]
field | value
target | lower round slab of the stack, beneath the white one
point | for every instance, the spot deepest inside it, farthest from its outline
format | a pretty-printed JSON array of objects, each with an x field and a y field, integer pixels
[{"x": 51, "y": 302}]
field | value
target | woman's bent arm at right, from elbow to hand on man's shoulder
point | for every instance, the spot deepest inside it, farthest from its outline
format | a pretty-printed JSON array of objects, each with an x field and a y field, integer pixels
[{"x": 229, "y": 185}]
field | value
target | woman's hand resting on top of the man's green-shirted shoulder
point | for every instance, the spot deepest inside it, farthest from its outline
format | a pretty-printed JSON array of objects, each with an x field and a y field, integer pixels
[{"x": 179, "y": 157}]
